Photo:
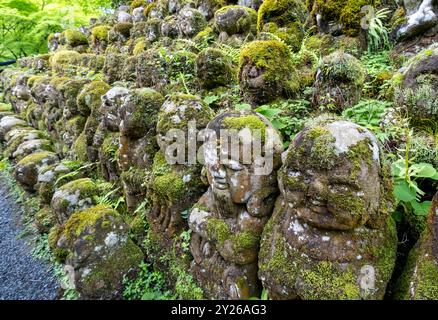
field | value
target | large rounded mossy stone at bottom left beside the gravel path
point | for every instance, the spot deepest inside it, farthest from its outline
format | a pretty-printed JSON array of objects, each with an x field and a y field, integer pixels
[{"x": 98, "y": 252}]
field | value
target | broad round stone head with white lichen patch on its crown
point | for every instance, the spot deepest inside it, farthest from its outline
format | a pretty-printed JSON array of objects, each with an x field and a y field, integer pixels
[{"x": 331, "y": 176}]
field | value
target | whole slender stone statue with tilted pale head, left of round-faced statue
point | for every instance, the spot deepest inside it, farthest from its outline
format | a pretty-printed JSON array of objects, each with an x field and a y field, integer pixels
[{"x": 228, "y": 220}]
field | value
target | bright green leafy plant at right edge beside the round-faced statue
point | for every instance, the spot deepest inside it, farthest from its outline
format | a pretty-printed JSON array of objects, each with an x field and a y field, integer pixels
[{"x": 406, "y": 174}]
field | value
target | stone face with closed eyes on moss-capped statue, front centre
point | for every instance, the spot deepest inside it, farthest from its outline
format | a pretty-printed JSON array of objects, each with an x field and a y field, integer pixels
[{"x": 233, "y": 177}]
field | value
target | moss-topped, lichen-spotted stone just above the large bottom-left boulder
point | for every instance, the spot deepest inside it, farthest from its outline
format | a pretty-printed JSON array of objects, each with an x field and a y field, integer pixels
[{"x": 73, "y": 196}]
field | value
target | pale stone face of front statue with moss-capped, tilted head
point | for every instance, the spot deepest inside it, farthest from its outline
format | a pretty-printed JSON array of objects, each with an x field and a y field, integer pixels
[{"x": 234, "y": 180}]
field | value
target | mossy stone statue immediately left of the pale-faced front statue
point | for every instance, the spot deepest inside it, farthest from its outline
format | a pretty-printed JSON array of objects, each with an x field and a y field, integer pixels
[{"x": 175, "y": 187}]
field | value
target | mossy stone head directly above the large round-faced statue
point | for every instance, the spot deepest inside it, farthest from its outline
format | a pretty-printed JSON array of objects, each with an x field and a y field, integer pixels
[{"x": 338, "y": 82}]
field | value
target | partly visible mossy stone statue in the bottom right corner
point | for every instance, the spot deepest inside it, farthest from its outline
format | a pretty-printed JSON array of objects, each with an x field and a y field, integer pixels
[{"x": 419, "y": 280}]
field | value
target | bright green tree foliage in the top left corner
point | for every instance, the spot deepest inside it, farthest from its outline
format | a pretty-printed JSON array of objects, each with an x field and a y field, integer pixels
[{"x": 26, "y": 24}]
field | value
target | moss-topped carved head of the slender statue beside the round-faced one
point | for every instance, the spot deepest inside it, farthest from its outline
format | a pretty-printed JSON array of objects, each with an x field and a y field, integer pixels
[{"x": 235, "y": 179}]
